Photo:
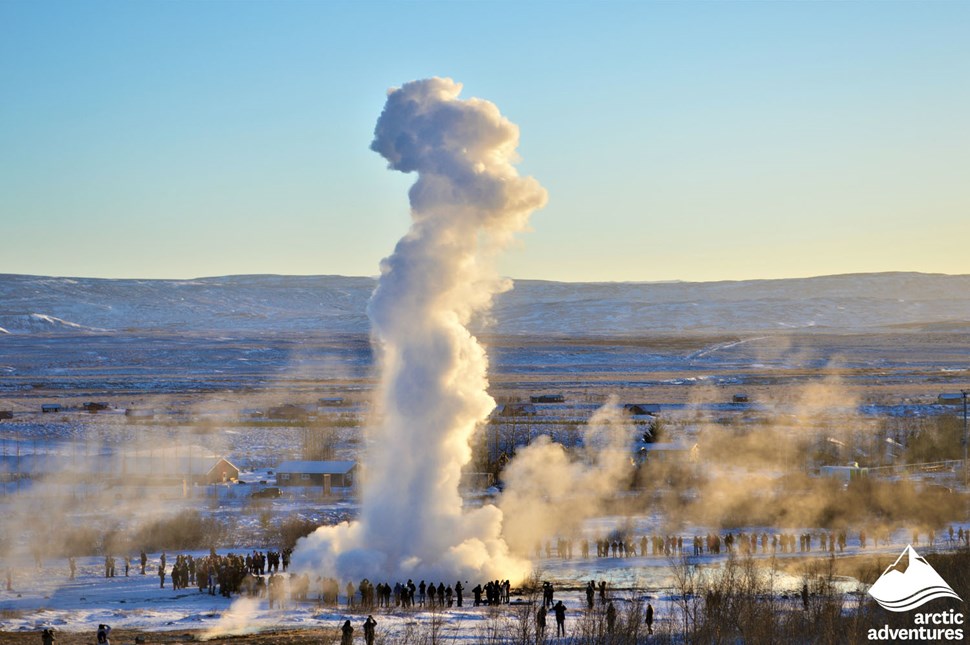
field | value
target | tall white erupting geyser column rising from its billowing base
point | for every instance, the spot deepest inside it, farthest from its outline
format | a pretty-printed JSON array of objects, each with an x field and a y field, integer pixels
[{"x": 466, "y": 205}]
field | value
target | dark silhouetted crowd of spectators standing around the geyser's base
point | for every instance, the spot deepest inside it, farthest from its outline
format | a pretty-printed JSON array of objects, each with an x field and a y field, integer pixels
[{"x": 258, "y": 574}]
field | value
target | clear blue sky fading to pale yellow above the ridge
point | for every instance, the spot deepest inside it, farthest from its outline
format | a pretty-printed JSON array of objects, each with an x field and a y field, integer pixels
[{"x": 692, "y": 141}]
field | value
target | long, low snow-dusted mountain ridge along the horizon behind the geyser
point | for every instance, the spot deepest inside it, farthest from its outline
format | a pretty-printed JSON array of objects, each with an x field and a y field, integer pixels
[{"x": 337, "y": 304}]
